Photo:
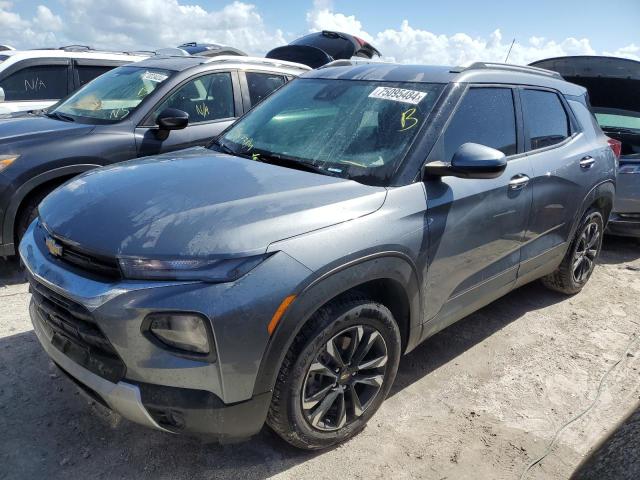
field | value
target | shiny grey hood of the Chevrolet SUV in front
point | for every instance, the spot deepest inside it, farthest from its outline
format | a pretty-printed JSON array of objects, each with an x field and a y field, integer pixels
[{"x": 198, "y": 202}]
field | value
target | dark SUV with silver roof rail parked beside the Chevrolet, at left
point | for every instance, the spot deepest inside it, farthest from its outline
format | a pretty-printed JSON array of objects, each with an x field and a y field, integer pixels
[{"x": 158, "y": 105}]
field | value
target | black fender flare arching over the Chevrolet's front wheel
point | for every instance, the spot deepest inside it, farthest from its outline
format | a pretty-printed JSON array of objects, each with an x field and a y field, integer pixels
[{"x": 327, "y": 285}]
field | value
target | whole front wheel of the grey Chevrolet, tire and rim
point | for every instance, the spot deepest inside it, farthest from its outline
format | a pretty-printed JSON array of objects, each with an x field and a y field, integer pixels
[{"x": 309, "y": 369}]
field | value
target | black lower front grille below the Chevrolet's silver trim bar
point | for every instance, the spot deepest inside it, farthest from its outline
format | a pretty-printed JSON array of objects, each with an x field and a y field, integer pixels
[{"x": 75, "y": 333}]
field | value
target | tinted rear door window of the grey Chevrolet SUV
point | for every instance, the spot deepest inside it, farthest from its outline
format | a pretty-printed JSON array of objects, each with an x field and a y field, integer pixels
[{"x": 545, "y": 118}]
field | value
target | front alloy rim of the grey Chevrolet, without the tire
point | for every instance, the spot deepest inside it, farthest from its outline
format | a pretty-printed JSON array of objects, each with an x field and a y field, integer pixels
[{"x": 345, "y": 377}]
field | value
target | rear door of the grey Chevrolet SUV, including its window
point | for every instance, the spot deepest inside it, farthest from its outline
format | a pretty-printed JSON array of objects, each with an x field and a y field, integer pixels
[{"x": 563, "y": 172}]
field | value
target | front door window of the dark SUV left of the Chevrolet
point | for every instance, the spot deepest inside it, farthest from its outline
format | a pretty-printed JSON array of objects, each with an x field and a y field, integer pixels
[{"x": 205, "y": 99}]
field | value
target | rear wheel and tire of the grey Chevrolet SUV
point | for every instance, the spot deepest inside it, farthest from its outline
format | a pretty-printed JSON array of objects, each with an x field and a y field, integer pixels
[{"x": 580, "y": 260}]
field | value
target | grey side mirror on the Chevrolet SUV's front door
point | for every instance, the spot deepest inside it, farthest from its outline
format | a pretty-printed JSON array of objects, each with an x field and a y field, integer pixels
[{"x": 471, "y": 160}]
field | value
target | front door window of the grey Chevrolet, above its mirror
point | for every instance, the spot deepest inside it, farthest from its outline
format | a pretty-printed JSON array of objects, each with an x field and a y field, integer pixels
[{"x": 486, "y": 116}]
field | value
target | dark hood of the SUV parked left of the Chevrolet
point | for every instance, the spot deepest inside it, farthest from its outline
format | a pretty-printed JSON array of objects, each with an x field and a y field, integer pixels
[{"x": 29, "y": 127}]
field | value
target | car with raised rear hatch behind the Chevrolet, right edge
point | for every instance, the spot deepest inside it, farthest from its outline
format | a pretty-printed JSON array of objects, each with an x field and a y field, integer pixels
[{"x": 614, "y": 92}]
